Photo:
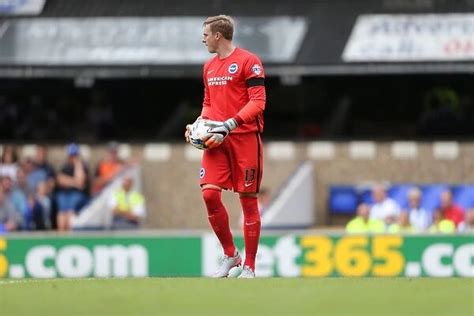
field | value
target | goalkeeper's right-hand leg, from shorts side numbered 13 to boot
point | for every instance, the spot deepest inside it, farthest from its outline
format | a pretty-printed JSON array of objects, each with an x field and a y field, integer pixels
[{"x": 247, "y": 161}]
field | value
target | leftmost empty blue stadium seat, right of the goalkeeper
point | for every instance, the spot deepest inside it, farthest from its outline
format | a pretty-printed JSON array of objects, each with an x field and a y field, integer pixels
[{"x": 342, "y": 200}]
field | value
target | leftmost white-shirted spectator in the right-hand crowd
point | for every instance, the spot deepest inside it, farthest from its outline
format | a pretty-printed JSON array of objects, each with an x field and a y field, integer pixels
[{"x": 384, "y": 208}]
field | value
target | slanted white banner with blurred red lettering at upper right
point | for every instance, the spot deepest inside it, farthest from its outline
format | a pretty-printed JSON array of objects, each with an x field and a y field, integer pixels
[{"x": 421, "y": 37}]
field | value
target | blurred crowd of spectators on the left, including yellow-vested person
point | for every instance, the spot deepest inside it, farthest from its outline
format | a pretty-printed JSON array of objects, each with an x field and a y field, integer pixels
[{"x": 34, "y": 195}]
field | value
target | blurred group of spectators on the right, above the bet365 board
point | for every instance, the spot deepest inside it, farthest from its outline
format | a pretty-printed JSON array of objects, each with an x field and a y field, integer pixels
[{"x": 385, "y": 215}]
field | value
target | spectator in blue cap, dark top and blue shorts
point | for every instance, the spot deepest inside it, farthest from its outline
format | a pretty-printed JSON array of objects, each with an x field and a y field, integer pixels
[{"x": 72, "y": 187}]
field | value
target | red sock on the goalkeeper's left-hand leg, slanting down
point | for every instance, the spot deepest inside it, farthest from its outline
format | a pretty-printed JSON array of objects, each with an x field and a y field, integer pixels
[{"x": 219, "y": 219}]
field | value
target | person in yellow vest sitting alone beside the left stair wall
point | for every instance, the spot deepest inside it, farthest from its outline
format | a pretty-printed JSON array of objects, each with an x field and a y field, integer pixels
[{"x": 127, "y": 205}]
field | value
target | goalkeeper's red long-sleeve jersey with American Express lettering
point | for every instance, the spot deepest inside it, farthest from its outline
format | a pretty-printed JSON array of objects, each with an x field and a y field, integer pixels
[{"x": 229, "y": 84}]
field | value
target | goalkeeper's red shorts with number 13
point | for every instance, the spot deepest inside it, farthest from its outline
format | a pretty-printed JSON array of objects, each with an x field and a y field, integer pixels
[{"x": 236, "y": 164}]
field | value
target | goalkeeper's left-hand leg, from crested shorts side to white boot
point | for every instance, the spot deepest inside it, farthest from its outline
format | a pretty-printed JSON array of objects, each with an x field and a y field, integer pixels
[{"x": 215, "y": 175}]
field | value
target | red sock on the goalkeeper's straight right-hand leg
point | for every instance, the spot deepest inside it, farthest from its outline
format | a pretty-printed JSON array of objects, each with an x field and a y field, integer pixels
[{"x": 251, "y": 229}]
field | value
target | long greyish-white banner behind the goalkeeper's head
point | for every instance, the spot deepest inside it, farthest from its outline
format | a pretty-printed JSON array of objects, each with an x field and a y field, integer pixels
[{"x": 142, "y": 41}]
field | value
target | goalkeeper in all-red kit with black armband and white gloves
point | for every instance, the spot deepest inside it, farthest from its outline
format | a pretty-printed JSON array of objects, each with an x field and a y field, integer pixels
[{"x": 234, "y": 100}]
